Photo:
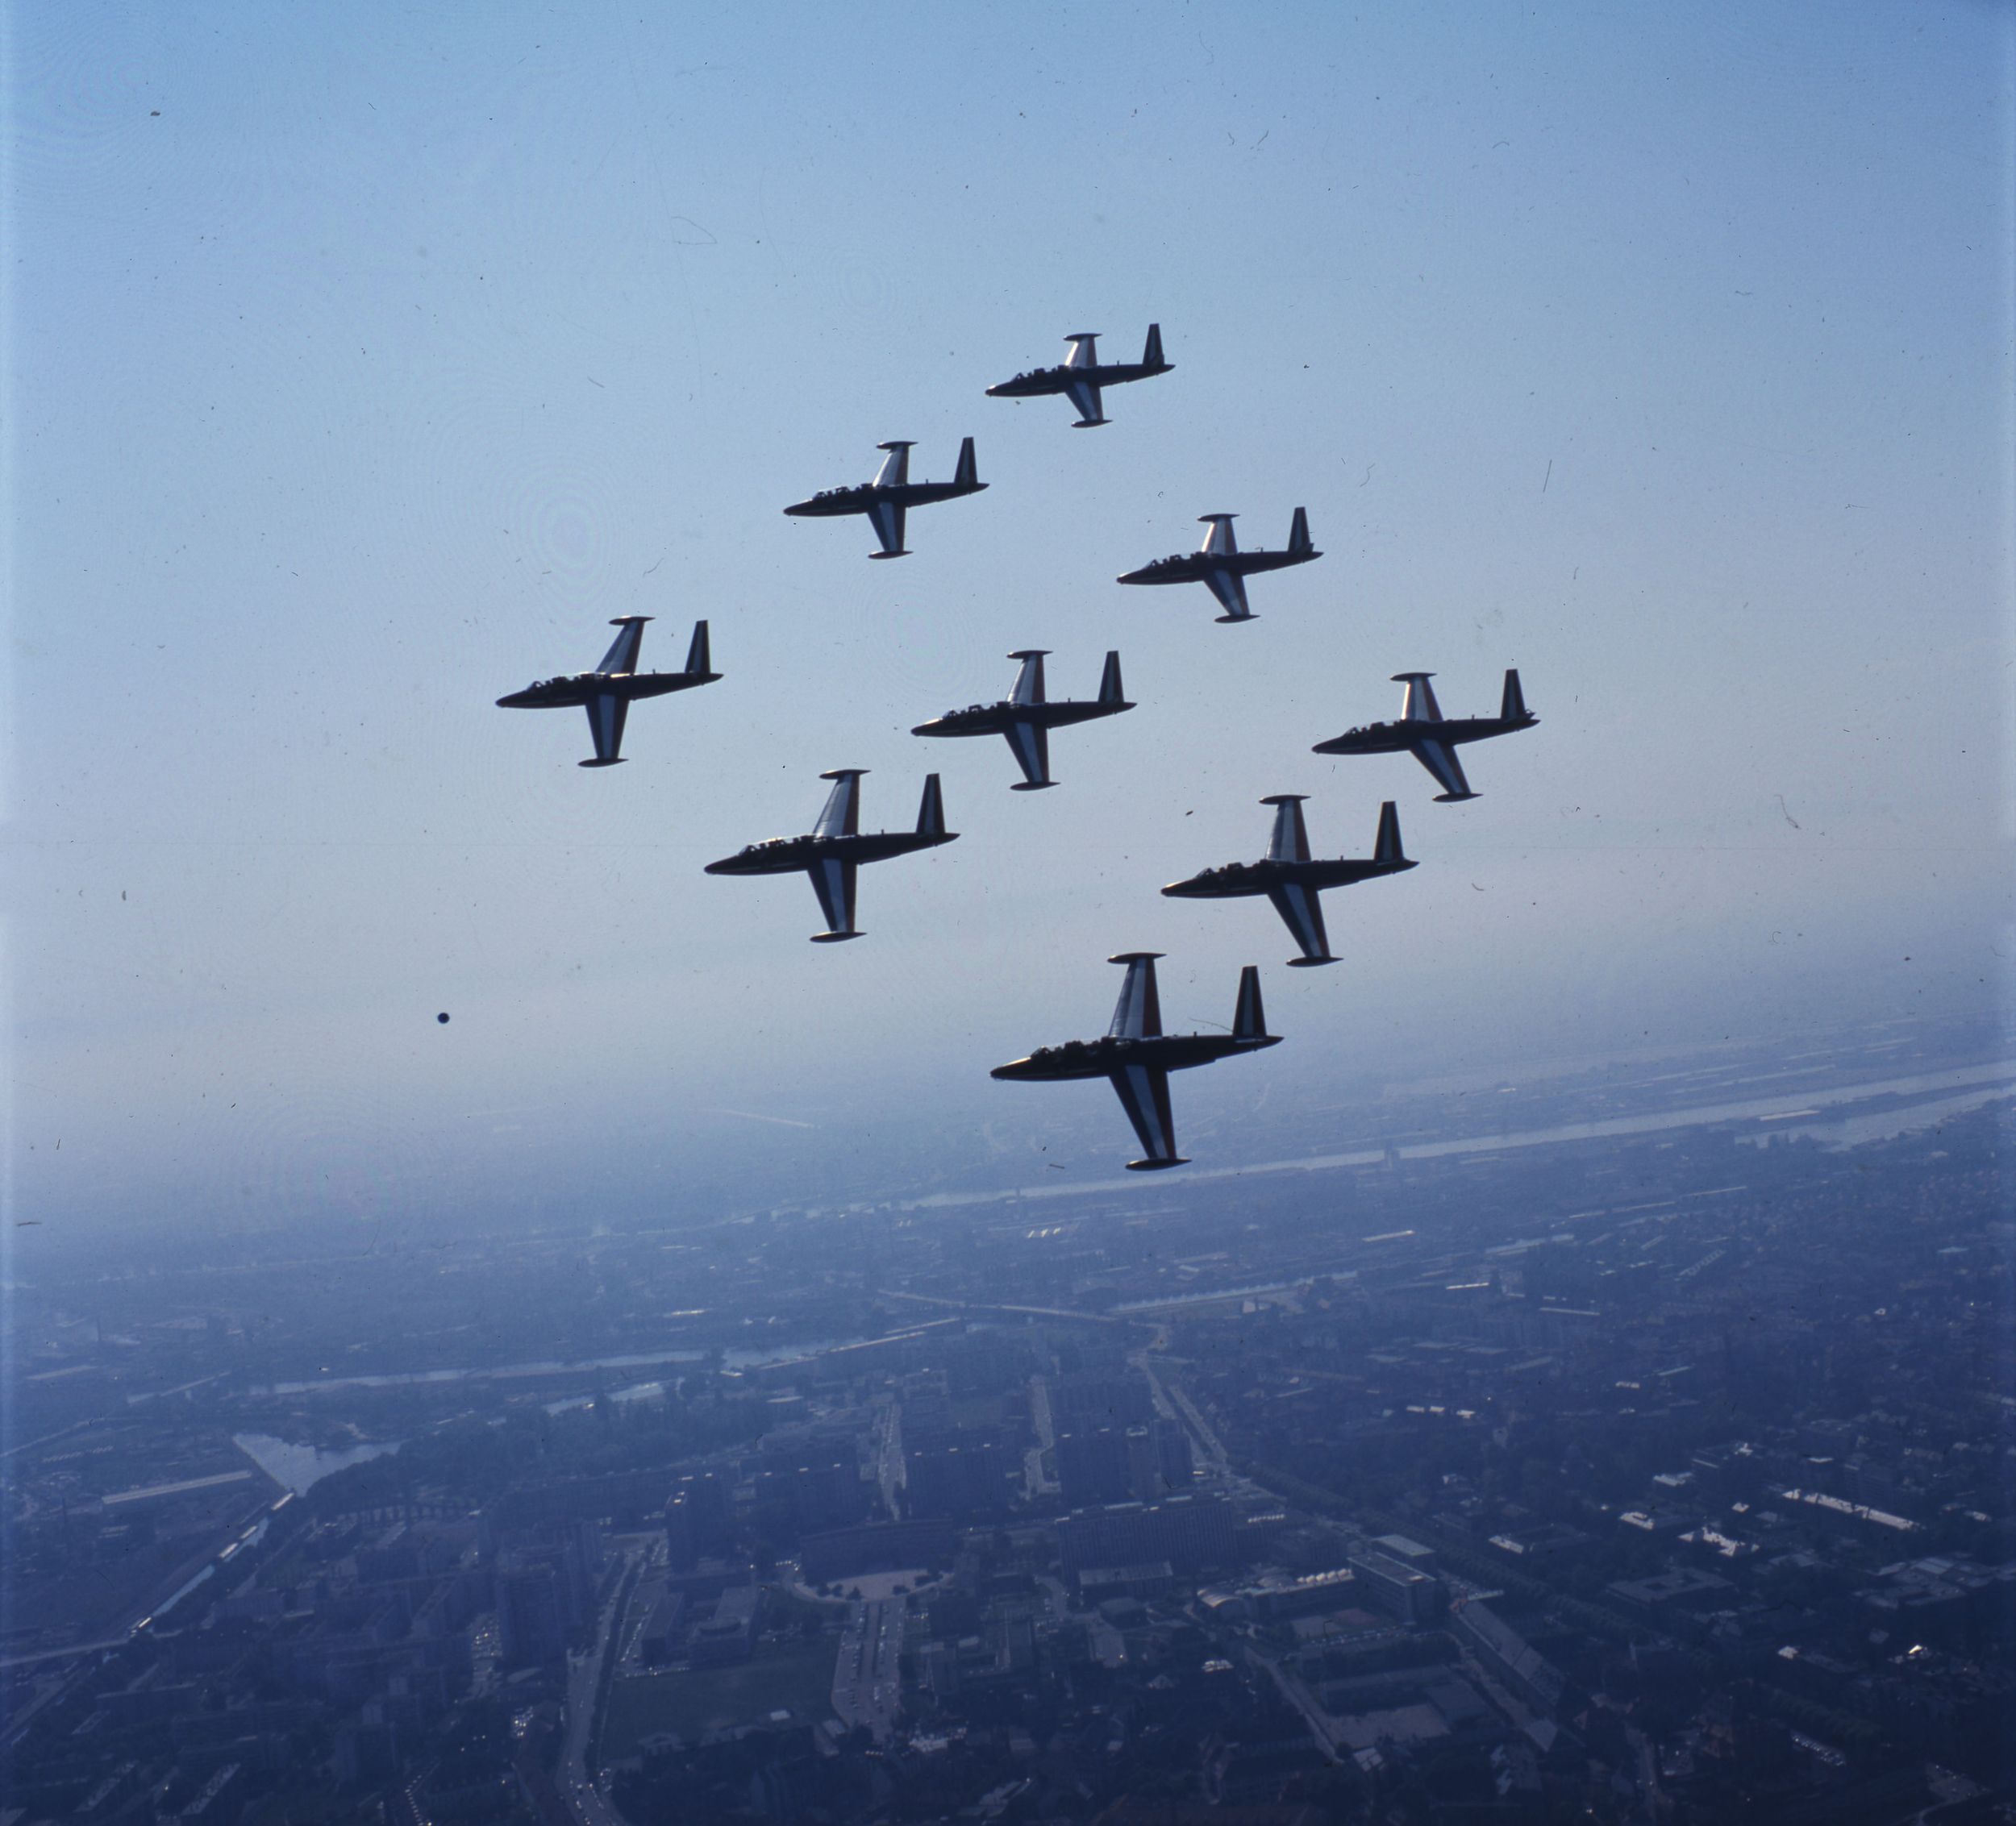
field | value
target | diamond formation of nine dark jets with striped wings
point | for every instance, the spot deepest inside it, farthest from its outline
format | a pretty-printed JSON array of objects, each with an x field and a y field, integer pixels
[{"x": 1134, "y": 1055}]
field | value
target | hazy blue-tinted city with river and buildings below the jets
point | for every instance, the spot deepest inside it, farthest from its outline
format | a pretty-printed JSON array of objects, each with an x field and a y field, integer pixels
[{"x": 1620, "y": 1442}]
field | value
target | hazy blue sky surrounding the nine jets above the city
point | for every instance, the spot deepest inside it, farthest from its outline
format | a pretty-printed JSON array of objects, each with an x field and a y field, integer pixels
[{"x": 364, "y": 362}]
